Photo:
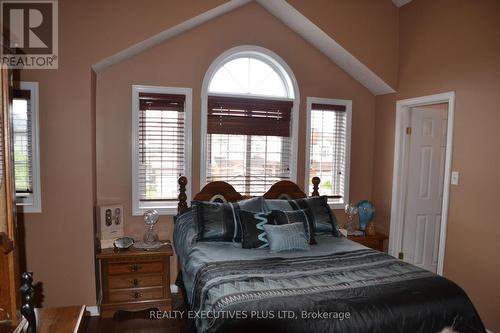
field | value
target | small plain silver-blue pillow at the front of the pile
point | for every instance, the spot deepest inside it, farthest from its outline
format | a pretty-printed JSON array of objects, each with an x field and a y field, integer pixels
[{"x": 286, "y": 237}]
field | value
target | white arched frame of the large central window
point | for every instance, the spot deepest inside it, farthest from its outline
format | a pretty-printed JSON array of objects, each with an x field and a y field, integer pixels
[{"x": 281, "y": 67}]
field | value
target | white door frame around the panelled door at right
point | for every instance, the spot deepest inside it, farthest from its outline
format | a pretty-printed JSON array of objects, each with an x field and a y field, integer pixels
[{"x": 400, "y": 173}]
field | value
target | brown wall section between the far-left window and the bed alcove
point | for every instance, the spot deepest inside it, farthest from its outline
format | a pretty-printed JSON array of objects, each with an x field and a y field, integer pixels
[{"x": 59, "y": 241}]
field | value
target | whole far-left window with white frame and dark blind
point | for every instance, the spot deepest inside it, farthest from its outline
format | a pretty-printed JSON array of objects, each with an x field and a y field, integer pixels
[{"x": 26, "y": 149}]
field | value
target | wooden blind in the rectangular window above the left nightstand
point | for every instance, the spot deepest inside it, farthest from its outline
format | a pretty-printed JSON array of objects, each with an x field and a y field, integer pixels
[{"x": 161, "y": 145}]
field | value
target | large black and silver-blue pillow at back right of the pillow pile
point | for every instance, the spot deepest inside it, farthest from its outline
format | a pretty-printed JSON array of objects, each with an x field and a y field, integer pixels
[{"x": 322, "y": 217}]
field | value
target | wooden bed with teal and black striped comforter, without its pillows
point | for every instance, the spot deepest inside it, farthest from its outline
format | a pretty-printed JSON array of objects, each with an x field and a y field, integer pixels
[{"x": 337, "y": 286}]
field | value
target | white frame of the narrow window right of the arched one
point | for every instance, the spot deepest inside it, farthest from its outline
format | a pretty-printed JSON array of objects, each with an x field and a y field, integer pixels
[{"x": 348, "y": 104}]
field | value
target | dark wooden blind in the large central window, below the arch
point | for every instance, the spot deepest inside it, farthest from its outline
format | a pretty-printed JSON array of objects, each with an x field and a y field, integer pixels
[{"x": 248, "y": 142}]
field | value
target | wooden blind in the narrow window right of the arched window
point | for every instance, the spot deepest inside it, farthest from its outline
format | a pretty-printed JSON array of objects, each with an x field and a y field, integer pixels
[{"x": 328, "y": 148}]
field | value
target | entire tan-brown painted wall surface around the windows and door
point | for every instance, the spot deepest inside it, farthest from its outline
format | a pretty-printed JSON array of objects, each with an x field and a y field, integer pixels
[{"x": 445, "y": 45}]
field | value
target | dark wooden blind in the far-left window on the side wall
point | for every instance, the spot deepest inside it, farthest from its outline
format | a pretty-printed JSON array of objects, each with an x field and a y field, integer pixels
[{"x": 22, "y": 138}]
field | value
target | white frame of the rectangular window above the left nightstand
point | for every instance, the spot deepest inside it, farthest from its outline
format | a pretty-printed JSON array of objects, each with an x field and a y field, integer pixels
[{"x": 170, "y": 208}]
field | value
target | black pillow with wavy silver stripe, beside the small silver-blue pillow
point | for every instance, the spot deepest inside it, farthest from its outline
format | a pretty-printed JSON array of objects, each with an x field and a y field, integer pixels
[{"x": 252, "y": 225}]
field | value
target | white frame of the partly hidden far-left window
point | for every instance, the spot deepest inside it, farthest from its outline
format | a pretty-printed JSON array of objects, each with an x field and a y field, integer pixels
[{"x": 32, "y": 202}]
